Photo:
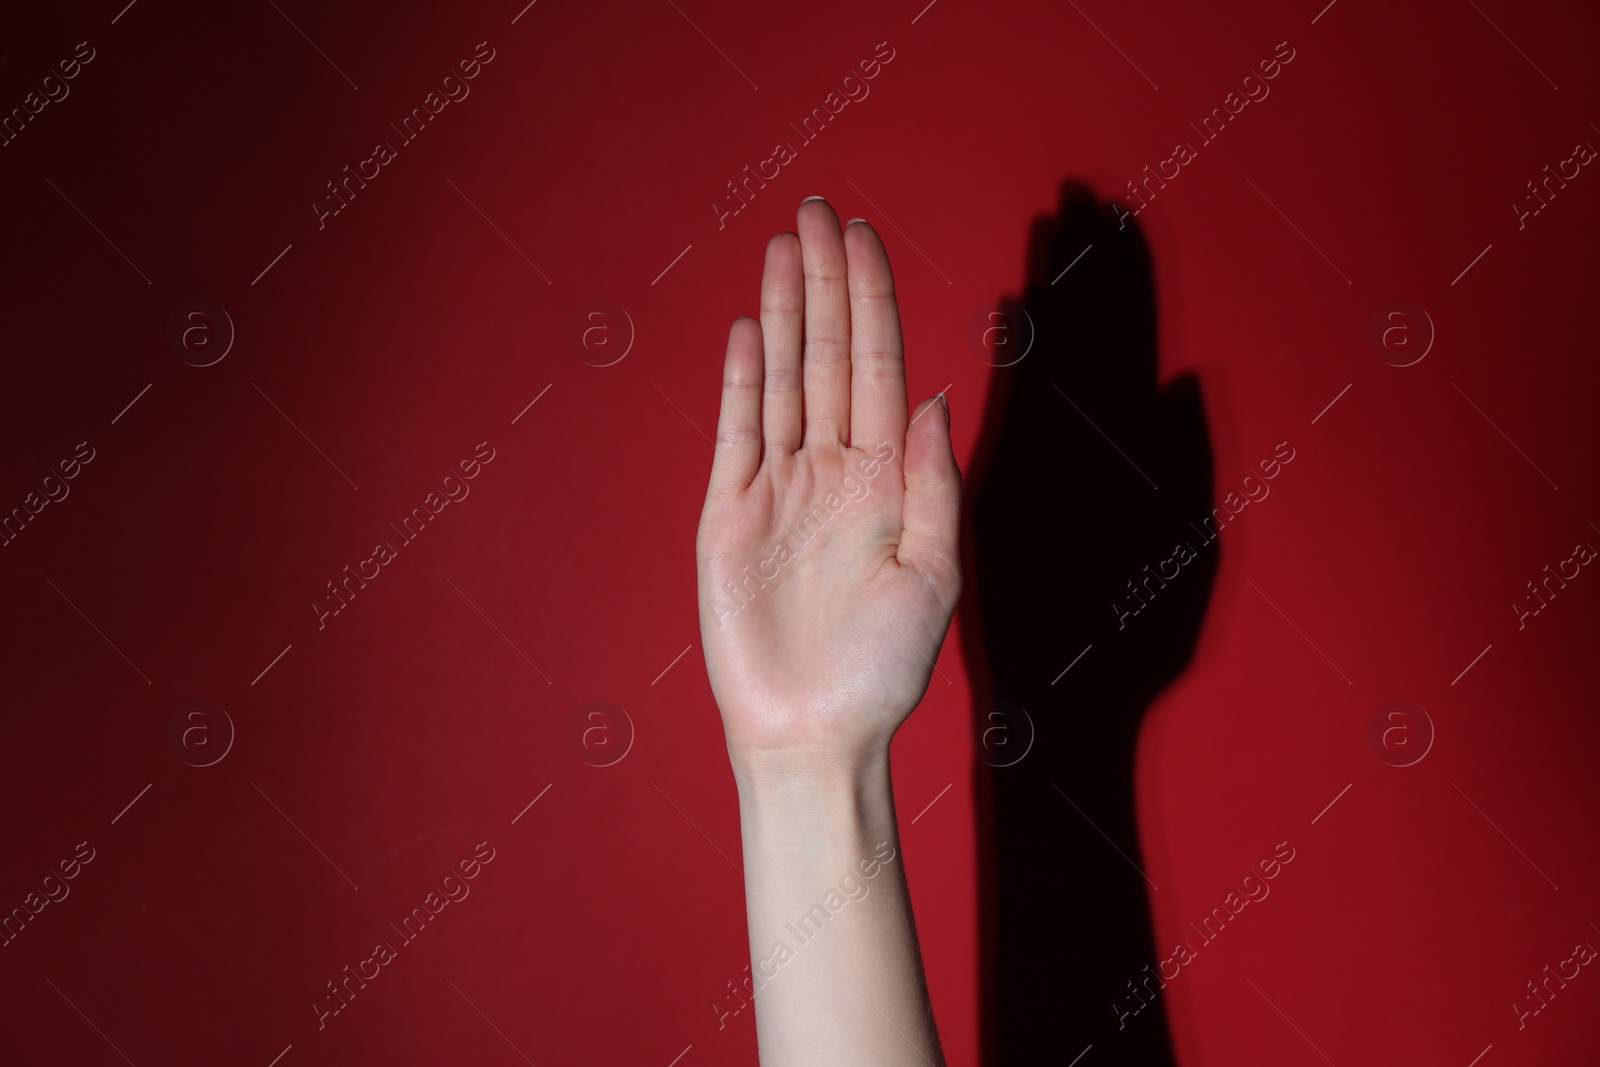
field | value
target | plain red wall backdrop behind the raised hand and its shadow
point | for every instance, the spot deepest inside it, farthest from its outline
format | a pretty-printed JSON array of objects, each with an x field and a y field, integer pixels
[{"x": 431, "y": 711}]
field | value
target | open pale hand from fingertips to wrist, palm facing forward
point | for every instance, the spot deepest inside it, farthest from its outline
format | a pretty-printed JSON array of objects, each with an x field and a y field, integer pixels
[{"x": 828, "y": 562}]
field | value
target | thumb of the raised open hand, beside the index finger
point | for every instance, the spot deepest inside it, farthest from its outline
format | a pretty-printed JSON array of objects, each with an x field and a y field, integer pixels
[{"x": 934, "y": 495}]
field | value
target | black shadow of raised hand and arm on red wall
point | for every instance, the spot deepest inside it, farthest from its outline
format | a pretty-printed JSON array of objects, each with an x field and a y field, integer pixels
[{"x": 1087, "y": 478}]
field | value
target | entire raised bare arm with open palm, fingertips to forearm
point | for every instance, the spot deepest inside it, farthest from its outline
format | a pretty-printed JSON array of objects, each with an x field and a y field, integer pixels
[{"x": 817, "y": 666}]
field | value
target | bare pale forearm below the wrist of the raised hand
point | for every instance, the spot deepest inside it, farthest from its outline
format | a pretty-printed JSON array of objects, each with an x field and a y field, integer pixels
[{"x": 834, "y": 956}]
